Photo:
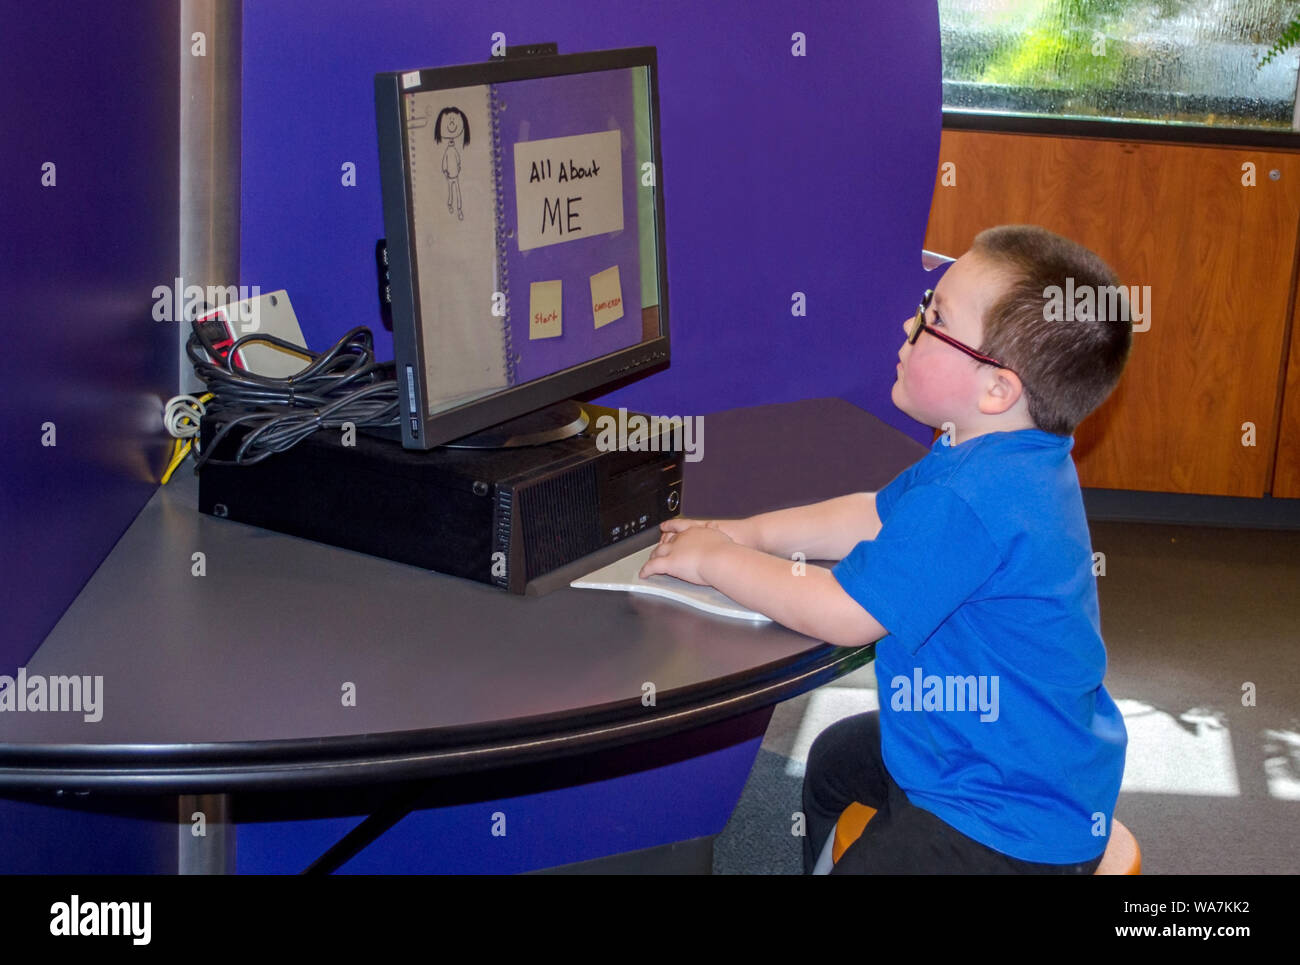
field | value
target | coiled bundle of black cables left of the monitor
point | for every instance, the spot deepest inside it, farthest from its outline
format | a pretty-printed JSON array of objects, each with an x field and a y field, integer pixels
[{"x": 337, "y": 387}]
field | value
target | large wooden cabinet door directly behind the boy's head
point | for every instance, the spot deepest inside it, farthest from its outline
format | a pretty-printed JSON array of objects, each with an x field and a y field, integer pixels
[{"x": 1204, "y": 382}]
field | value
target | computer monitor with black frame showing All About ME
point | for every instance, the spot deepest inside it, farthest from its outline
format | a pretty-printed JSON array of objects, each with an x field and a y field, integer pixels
[{"x": 523, "y": 205}]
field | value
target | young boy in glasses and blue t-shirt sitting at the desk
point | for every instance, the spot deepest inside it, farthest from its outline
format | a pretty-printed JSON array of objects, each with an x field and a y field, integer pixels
[{"x": 996, "y": 748}]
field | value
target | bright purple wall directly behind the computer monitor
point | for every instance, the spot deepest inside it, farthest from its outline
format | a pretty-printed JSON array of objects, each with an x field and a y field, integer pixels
[{"x": 782, "y": 175}]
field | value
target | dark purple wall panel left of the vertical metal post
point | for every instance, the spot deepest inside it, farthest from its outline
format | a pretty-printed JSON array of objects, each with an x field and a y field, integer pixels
[{"x": 92, "y": 89}]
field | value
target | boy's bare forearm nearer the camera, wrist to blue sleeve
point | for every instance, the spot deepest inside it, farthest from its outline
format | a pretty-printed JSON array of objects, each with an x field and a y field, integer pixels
[{"x": 811, "y": 601}]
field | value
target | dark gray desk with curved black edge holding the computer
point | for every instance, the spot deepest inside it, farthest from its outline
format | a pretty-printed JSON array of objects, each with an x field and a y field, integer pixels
[{"x": 233, "y": 681}]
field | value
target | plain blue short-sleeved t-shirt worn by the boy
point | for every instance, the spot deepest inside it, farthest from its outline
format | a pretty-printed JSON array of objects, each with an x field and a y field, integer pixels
[{"x": 993, "y": 711}]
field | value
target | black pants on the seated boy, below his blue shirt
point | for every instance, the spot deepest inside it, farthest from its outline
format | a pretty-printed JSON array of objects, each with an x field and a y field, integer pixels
[{"x": 844, "y": 767}]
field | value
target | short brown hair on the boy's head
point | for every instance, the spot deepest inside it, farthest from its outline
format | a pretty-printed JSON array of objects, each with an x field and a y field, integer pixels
[{"x": 1067, "y": 365}]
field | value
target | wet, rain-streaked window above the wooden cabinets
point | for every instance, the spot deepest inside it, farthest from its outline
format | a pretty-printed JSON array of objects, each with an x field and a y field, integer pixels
[{"x": 1171, "y": 62}]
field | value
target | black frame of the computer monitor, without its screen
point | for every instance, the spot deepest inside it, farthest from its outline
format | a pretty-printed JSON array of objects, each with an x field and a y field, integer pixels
[{"x": 422, "y": 430}]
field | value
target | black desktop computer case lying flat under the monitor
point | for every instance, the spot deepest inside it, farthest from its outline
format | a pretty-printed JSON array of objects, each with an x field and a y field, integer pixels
[{"x": 501, "y": 517}]
